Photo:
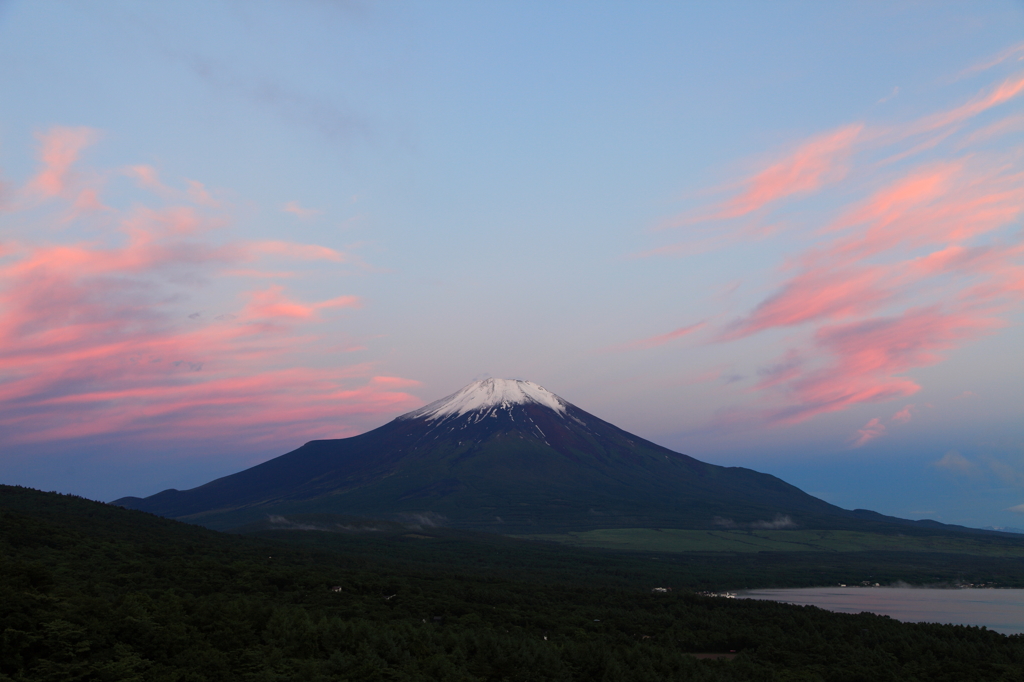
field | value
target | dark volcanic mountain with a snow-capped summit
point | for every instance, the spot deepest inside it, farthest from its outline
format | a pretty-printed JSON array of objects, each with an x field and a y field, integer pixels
[{"x": 505, "y": 456}]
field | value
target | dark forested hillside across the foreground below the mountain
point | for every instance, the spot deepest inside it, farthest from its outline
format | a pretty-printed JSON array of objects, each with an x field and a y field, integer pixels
[{"x": 92, "y": 592}]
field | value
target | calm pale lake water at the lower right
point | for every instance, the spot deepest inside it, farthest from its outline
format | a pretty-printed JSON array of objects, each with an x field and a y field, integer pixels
[{"x": 1002, "y": 611}]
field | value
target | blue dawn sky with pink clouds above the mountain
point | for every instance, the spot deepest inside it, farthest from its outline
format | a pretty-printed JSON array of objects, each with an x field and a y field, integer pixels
[{"x": 780, "y": 236}]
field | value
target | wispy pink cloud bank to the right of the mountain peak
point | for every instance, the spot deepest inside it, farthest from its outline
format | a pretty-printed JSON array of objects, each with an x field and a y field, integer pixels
[{"x": 917, "y": 252}]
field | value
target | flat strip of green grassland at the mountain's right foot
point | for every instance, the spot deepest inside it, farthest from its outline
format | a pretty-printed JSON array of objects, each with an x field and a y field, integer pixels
[{"x": 672, "y": 540}]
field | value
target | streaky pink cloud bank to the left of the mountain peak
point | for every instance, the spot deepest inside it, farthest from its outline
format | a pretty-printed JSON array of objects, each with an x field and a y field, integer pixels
[{"x": 97, "y": 344}]
